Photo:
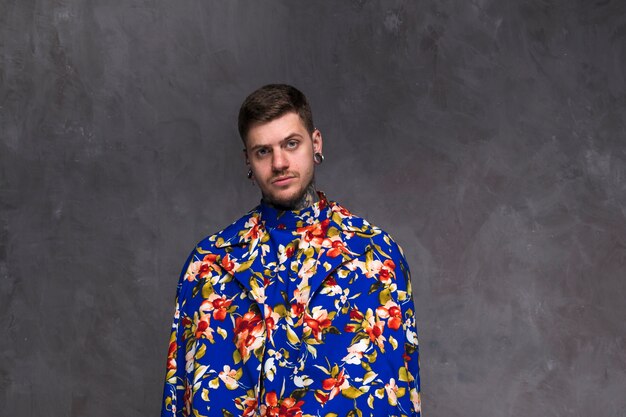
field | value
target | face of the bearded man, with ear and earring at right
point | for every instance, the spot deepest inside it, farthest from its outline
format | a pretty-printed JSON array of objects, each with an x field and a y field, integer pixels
[{"x": 280, "y": 154}]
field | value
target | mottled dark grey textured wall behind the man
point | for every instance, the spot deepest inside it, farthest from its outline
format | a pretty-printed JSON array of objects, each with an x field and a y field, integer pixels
[{"x": 489, "y": 137}]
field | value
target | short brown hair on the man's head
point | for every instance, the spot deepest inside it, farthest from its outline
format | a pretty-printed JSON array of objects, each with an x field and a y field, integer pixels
[{"x": 271, "y": 102}]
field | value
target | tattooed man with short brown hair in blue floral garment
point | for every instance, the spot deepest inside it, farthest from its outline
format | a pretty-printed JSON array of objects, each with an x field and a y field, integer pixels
[{"x": 299, "y": 308}]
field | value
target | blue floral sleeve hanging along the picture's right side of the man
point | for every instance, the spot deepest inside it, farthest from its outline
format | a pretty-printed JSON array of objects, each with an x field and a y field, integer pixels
[{"x": 409, "y": 375}]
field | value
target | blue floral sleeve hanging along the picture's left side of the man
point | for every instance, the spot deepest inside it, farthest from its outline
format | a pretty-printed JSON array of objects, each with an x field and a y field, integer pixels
[{"x": 175, "y": 378}]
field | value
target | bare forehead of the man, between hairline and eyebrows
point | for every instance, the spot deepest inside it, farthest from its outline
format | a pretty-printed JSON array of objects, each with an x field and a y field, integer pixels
[{"x": 276, "y": 130}]
